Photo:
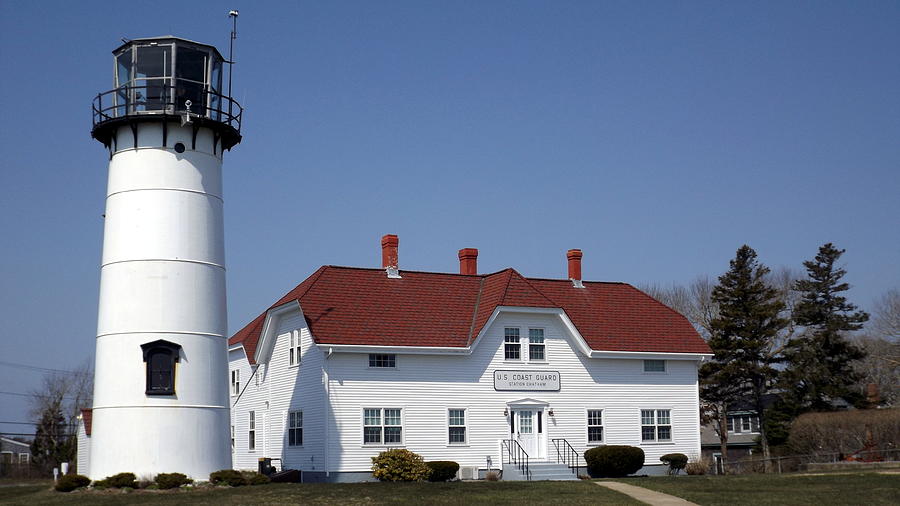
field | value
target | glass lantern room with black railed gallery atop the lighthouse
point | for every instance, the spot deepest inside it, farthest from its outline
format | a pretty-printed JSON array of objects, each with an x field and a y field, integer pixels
[{"x": 167, "y": 76}]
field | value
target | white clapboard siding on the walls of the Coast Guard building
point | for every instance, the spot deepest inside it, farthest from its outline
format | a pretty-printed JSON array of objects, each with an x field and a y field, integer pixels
[{"x": 426, "y": 386}]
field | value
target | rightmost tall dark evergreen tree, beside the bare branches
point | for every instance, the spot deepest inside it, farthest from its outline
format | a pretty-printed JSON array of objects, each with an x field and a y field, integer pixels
[{"x": 820, "y": 359}]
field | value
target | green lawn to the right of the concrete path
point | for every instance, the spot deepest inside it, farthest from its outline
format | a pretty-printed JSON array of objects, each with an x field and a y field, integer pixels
[{"x": 786, "y": 489}]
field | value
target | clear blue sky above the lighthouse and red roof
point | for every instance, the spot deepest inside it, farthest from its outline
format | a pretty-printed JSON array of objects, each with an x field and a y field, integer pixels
[{"x": 656, "y": 136}]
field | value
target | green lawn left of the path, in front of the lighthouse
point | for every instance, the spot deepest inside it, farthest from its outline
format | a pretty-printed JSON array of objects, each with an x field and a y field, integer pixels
[{"x": 583, "y": 492}]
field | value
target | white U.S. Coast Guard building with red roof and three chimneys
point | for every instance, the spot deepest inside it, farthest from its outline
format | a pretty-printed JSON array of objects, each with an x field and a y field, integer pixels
[{"x": 474, "y": 368}]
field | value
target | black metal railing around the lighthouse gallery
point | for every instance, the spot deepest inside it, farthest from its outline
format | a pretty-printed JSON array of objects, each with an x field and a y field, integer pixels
[{"x": 159, "y": 98}]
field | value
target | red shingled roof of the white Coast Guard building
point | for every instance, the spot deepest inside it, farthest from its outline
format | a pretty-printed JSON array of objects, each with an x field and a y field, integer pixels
[{"x": 355, "y": 306}]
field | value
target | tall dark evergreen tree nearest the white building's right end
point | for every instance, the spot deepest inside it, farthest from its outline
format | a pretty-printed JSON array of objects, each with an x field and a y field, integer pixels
[{"x": 743, "y": 338}]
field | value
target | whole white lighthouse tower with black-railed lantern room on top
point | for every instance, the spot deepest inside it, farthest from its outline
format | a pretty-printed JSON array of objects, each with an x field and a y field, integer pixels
[{"x": 160, "y": 385}]
